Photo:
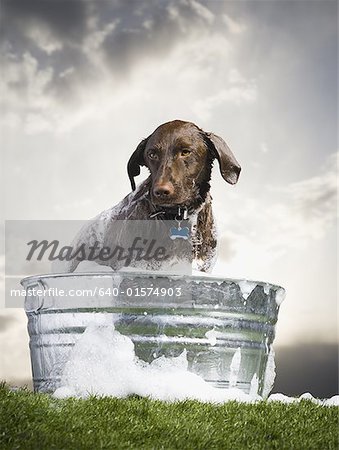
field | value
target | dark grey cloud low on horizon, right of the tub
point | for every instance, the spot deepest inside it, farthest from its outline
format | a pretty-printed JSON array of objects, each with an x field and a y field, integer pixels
[{"x": 307, "y": 368}]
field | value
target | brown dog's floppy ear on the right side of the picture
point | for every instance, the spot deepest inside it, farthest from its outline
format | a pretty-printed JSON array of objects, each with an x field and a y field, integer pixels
[{"x": 229, "y": 166}]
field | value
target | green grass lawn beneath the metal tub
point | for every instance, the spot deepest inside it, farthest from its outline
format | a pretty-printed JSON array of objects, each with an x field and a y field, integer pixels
[{"x": 37, "y": 421}]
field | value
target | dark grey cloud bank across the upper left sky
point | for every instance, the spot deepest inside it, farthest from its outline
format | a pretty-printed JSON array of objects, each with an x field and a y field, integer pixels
[{"x": 67, "y": 35}]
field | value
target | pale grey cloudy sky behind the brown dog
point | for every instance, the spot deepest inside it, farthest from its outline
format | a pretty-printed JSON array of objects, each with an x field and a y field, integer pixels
[{"x": 82, "y": 82}]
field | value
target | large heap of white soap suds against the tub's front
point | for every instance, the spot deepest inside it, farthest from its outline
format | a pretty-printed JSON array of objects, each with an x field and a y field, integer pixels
[{"x": 103, "y": 363}]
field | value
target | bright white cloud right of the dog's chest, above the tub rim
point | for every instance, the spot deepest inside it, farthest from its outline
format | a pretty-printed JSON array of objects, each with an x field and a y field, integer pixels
[{"x": 304, "y": 211}]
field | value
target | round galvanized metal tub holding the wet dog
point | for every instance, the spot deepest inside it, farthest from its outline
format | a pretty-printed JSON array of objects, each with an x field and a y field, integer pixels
[{"x": 211, "y": 319}]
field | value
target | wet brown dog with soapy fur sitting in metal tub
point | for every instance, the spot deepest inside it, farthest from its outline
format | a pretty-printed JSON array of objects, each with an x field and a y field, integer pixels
[{"x": 179, "y": 156}]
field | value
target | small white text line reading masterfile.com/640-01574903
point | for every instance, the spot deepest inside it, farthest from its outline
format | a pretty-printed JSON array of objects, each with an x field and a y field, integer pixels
[{"x": 151, "y": 291}]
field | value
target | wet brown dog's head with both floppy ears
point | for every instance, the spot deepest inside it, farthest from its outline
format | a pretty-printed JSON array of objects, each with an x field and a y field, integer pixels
[{"x": 179, "y": 156}]
